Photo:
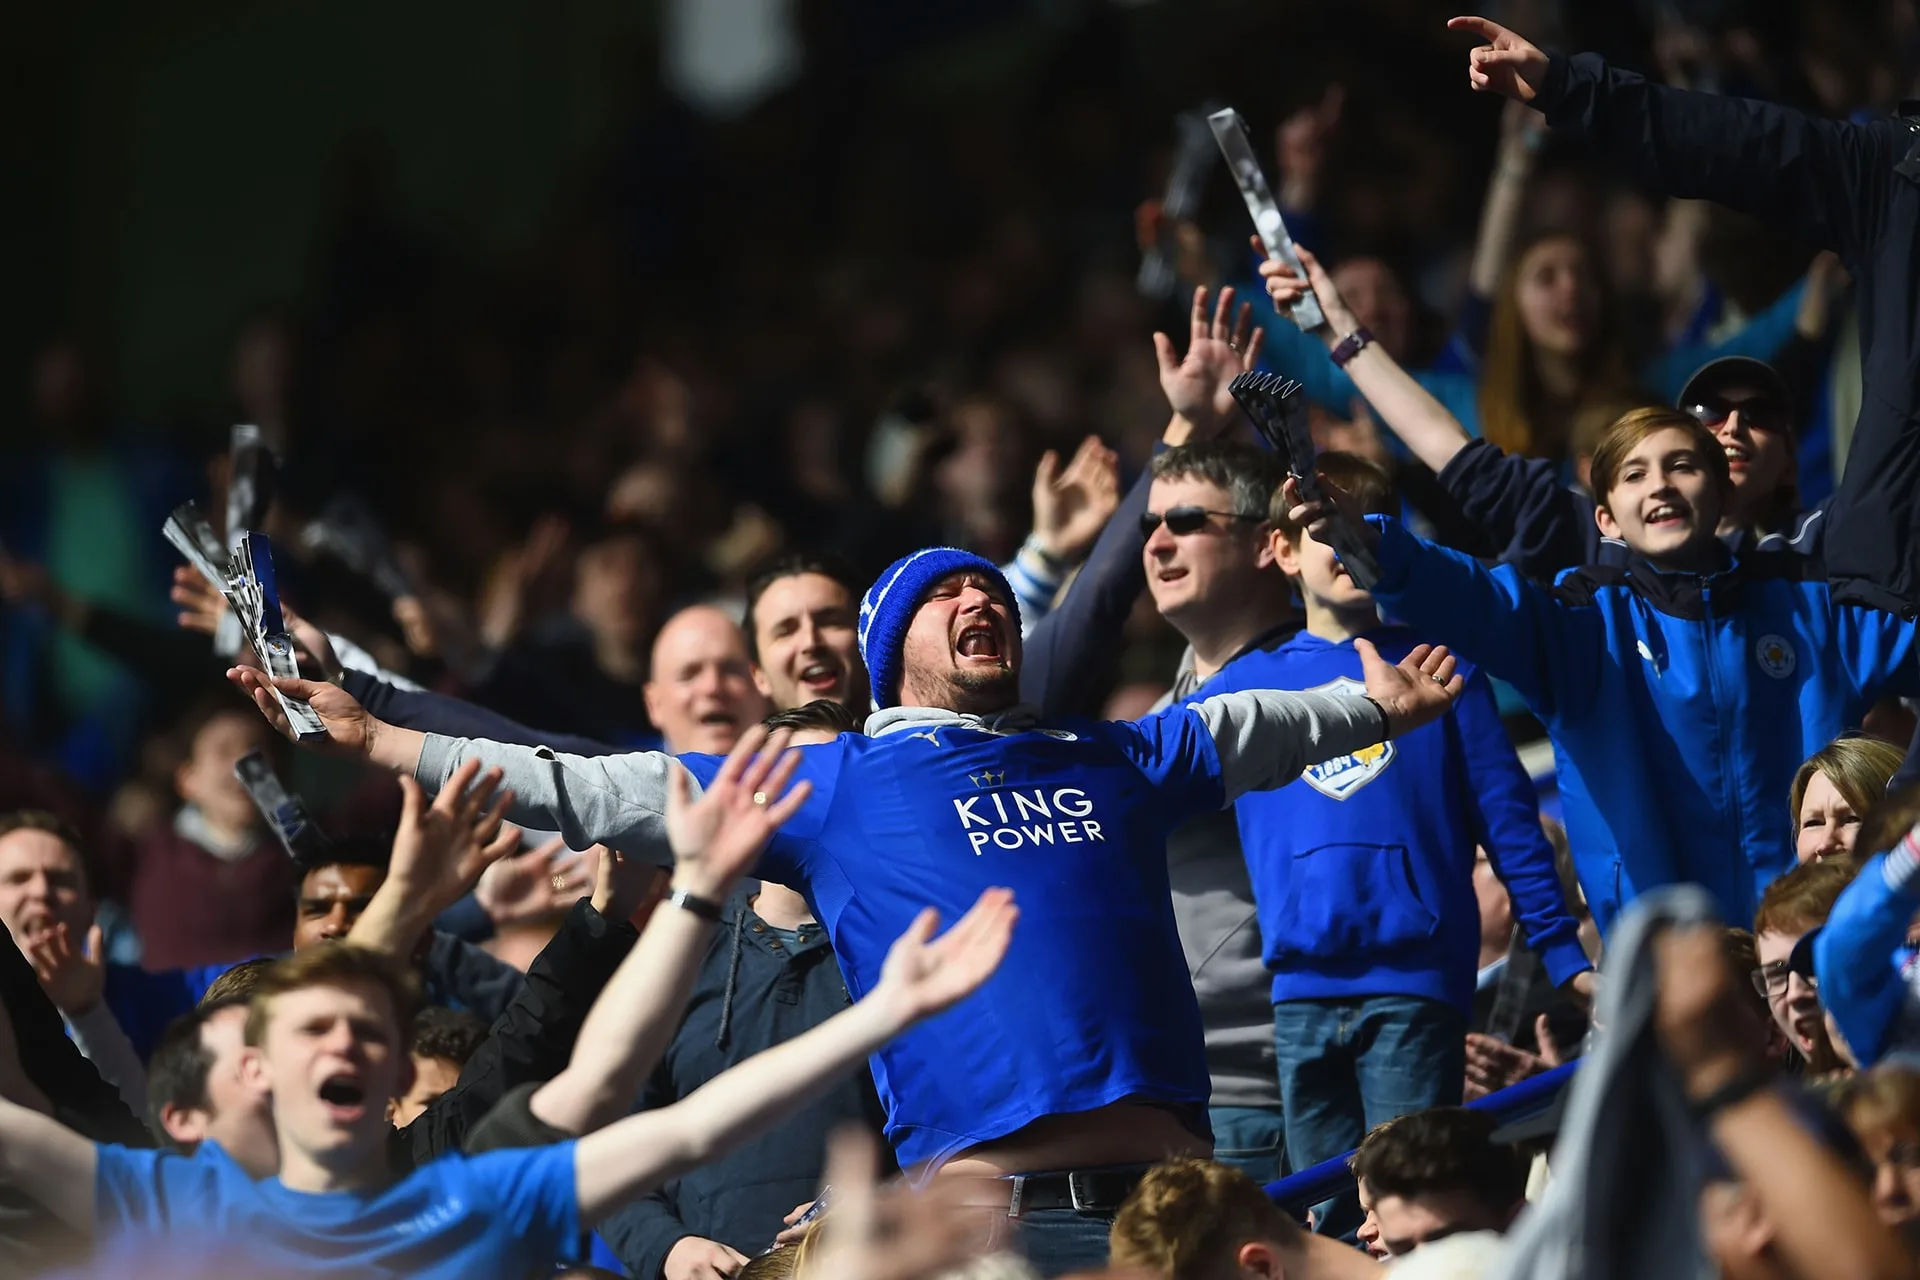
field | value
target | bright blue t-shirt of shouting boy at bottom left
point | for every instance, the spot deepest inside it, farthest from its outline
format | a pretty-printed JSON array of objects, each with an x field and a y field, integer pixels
[{"x": 504, "y": 1214}]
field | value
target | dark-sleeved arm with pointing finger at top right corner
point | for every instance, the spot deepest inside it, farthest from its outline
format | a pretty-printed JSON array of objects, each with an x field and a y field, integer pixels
[{"x": 1825, "y": 181}]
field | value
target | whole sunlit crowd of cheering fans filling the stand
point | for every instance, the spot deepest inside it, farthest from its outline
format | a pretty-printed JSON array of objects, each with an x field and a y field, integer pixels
[{"x": 852, "y": 799}]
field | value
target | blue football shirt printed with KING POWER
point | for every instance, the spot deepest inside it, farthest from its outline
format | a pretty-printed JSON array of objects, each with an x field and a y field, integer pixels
[{"x": 1093, "y": 1003}]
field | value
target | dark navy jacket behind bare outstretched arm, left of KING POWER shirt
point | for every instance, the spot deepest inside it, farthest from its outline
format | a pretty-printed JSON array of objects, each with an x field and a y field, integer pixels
[{"x": 754, "y": 993}]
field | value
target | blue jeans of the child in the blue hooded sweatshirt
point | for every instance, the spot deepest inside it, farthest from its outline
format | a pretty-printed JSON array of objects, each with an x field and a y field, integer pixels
[{"x": 1353, "y": 1064}]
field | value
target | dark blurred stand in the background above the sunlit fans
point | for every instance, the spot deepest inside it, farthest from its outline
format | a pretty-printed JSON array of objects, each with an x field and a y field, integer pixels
[{"x": 752, "y": 273}]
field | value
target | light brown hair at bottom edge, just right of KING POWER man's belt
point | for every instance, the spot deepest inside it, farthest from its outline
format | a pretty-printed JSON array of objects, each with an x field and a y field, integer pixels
[{"x": 1189, "y": 1218}]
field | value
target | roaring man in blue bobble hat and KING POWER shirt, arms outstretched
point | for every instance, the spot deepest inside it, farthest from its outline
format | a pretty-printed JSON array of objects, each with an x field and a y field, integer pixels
[{"x": 1084, "y": 1062}]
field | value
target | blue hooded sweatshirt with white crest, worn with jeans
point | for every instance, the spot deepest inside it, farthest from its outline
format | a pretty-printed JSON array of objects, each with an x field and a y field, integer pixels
[{"x": 1364, "y": 868}]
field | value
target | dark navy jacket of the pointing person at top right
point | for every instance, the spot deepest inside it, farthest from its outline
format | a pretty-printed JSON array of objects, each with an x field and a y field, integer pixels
[{"x": 1844, "y": 187}]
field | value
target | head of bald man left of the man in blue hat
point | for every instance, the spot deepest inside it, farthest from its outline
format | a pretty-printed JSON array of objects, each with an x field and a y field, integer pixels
[{"x": 700, "y": 688}]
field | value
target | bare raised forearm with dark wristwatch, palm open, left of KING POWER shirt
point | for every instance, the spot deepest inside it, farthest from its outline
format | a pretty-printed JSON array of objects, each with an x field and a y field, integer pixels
[{"x": 715, "y": 841}]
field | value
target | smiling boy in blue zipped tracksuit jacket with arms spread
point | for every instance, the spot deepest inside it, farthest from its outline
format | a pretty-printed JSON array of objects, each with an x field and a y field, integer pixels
[{"x": 1681, "y": 688}]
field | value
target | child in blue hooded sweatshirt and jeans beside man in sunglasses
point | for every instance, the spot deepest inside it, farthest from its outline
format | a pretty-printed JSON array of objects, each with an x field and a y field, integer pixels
[{"x": 1364, "y": 868}]
